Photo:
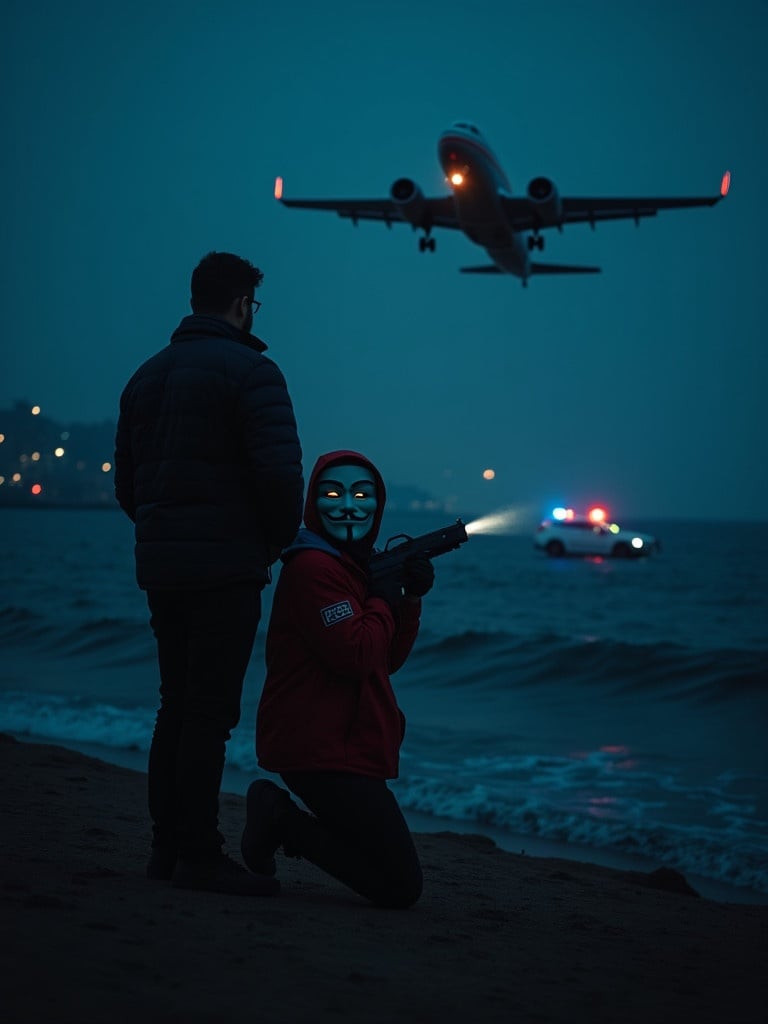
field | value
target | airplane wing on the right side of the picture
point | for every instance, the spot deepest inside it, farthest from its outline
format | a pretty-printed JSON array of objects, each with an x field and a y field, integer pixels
[{"x": 524, "y": 216}]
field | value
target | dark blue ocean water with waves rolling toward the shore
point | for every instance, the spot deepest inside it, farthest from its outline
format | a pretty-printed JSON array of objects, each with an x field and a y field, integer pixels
[{"x": 609, "y": 711}]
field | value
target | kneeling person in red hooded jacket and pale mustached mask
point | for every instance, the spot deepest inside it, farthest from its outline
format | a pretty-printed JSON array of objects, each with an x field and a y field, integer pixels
[{"x": 328, "y": 720}]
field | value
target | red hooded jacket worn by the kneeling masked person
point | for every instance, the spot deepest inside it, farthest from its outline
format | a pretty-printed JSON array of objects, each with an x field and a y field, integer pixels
[{"x": 328, "y": 704}]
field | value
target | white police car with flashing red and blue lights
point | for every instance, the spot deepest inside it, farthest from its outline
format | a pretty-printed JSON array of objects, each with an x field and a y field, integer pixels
[{"x": 591, "y": 535}]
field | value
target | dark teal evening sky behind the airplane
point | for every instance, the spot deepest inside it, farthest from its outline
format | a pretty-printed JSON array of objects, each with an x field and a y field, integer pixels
[{"x": 140, "y": 137}]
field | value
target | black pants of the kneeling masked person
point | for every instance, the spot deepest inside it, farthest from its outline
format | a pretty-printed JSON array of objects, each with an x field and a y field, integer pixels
[{"x": 359, "y": 836}]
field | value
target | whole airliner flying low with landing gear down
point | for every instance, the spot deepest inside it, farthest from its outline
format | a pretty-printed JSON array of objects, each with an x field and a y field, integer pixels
[{"x": 483, "y": 206}]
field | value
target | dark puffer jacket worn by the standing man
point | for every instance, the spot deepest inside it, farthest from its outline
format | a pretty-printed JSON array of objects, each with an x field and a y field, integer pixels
[{"x": 208, "y": 461}]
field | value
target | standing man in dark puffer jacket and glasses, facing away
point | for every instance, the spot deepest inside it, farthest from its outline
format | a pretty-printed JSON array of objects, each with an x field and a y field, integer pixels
[{"x": 208, "y": 466}]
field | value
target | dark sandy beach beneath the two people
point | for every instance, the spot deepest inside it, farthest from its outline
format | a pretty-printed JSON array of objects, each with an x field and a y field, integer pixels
[{"x": 497, "y": 936}]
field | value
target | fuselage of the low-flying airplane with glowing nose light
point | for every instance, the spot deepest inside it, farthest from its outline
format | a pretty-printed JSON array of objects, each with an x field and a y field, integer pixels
[{"x": 478, "y": 182}]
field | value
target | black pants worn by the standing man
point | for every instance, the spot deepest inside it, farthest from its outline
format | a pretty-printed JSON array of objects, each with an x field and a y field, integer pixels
[{"x": 205, "y": 639}]
